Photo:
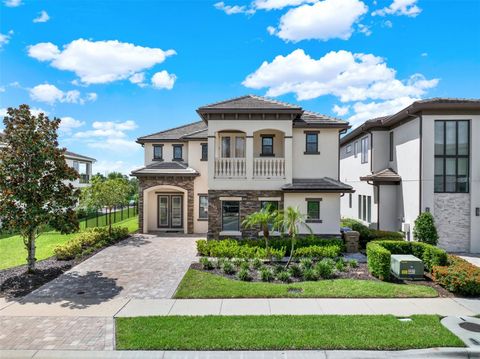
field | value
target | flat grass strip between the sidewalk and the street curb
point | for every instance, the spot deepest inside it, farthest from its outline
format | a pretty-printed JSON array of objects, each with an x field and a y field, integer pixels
[{"x": 375, "y": 332}]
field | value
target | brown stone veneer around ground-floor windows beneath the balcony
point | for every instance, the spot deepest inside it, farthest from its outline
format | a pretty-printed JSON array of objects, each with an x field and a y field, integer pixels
[{"x": 248, "y": 205}]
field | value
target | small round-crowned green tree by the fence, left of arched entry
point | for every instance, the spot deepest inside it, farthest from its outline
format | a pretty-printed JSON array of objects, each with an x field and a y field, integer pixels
[{"x": 106, "y": 193}]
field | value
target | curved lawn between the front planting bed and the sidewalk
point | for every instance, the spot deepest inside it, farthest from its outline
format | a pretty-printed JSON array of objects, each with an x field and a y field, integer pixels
[{"x": 198, "y": 284}]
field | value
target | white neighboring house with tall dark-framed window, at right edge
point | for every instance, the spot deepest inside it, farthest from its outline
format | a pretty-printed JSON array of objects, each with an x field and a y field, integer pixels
[{"x": 424, "y": 158}]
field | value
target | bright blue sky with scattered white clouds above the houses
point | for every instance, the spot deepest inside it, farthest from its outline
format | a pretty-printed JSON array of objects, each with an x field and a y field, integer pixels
[{"x": 116, "y": 70}]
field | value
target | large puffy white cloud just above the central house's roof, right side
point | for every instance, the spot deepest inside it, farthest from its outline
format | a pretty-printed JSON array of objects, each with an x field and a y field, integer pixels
[{"x": 348, "y": 76}]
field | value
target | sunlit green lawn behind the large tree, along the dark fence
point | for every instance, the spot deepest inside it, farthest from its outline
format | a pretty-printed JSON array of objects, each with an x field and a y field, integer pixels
[{"x": 13, "y": 253}]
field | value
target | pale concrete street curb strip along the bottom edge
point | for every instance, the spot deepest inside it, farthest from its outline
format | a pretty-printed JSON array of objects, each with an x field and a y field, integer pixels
[{"x": 298, "y": 354}]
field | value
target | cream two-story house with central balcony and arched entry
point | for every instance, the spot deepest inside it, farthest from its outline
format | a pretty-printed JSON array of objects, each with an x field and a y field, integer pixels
[{"x": 245, "y": 153}]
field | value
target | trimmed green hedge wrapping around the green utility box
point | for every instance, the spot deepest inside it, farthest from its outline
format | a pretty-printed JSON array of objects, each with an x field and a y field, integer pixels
[{"x": 379, "y": 255}]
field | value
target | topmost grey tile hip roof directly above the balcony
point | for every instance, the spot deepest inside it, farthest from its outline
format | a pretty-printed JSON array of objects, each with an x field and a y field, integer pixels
[{"x": 250, "y": 102}]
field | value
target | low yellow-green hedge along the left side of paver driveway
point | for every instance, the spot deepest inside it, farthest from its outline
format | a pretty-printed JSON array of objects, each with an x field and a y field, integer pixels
[{"x": 89, "y": 241}]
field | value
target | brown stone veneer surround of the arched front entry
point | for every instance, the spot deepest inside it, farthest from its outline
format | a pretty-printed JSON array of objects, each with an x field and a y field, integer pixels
[{"x": 185, "y": 182}]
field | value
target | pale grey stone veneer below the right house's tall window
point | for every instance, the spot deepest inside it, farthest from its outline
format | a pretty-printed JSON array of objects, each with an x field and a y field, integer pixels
[{"x": 452, "y": 218}]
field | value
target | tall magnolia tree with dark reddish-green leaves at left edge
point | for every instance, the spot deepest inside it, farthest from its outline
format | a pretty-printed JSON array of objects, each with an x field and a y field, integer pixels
[{"x": 34, "y": 179}]
